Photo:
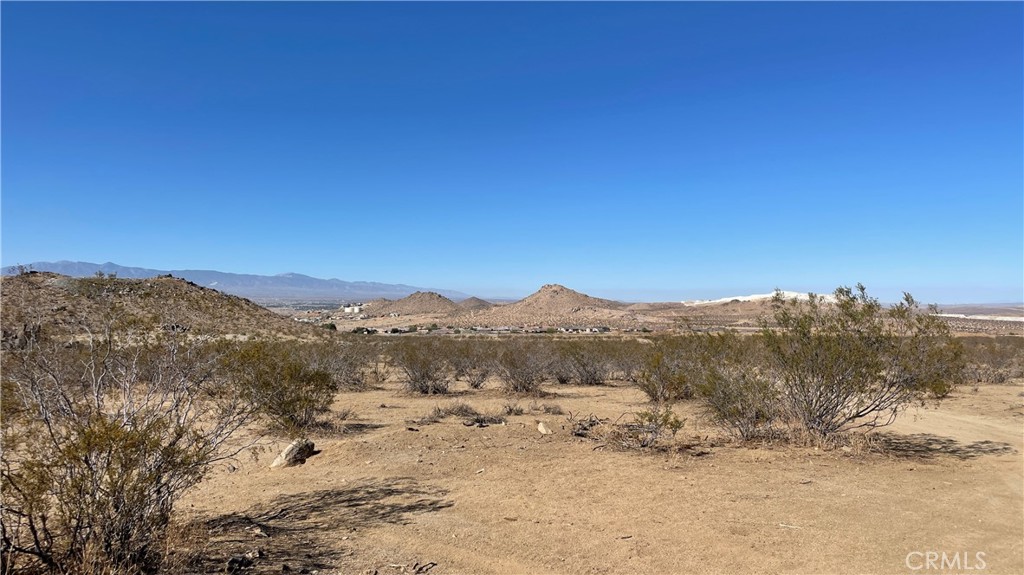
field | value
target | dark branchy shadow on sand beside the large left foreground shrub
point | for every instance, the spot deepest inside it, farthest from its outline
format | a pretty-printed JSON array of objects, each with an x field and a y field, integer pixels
[{"x": 305, "y": 532}]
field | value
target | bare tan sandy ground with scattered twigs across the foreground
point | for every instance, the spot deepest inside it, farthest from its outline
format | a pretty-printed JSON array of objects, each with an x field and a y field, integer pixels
[{"x": 391, "y": 497}]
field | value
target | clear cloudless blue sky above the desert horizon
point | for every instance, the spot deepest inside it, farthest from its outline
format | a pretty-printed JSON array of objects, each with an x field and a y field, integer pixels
[{"x": 643, "y": 152}]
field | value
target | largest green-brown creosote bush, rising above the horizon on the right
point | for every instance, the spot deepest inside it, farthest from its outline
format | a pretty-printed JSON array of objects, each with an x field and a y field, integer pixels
[{"x": 856, "y": 364}]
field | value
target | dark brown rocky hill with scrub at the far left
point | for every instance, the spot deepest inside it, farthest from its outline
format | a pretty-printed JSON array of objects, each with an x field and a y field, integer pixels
[{"x": 50, "y": 299}]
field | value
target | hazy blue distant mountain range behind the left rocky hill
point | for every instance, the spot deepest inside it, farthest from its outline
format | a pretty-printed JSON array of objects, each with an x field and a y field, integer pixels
[{"x": 283, "y": 288}]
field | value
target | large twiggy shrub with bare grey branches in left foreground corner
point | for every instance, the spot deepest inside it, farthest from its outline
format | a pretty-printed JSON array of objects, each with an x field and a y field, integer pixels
[{"x": 103, "y": 432}]
